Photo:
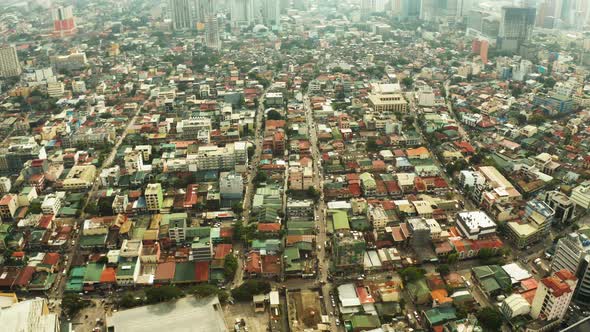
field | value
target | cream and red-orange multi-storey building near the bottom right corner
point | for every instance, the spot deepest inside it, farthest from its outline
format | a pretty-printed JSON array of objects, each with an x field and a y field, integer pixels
[{"x": 553, "y": 296}]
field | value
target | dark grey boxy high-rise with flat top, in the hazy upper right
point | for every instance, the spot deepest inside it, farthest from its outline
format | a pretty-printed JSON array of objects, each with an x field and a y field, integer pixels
[{"x": 516, "y": 27}]
